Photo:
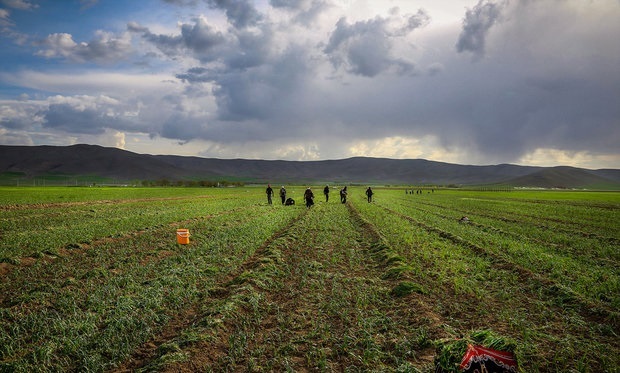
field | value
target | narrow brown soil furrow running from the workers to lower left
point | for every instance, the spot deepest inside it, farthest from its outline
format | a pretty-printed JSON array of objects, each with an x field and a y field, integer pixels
[{"x": 145, "y": 355}]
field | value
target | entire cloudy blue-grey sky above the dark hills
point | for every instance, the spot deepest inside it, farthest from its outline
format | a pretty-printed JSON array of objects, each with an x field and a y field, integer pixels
[{"x": 531, "y": 82}]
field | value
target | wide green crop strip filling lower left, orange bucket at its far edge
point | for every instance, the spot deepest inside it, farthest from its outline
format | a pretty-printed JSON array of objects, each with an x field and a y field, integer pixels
[{"x": 90, "y": 308}]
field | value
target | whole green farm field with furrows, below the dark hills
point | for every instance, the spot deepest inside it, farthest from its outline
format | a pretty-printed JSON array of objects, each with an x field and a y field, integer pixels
[{"x": 92, "y": 279}]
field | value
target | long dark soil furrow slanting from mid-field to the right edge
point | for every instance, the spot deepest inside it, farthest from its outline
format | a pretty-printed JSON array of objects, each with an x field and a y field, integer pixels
[{"x": 594, "y": 312}]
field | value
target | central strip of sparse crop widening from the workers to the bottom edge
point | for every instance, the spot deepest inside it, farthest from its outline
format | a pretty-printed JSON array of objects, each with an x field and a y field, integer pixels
[{"x": 314, "y": 298}]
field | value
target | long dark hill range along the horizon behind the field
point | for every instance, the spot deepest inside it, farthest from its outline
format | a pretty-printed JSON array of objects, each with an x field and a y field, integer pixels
[{"x": 80, "y": 160}]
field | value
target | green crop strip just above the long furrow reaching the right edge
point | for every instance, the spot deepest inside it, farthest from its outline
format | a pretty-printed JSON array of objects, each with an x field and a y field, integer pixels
[{"x": 586, "y": 265}]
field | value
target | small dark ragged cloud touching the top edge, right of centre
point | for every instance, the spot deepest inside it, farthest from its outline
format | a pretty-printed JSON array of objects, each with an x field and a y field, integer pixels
[{"x": 476, "y": 25}]
